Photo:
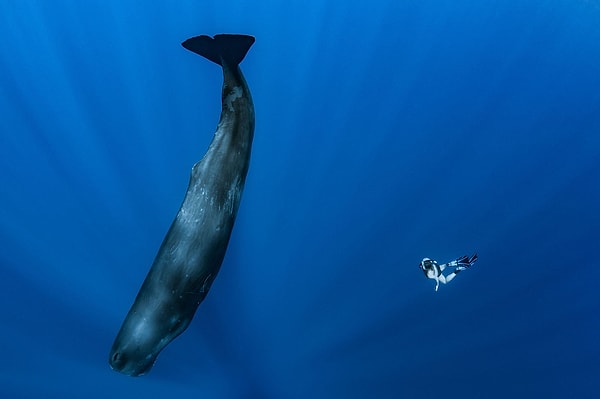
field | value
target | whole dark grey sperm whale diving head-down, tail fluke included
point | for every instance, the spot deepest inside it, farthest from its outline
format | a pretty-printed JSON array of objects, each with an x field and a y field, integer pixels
[{"x": 191, "y": 253}]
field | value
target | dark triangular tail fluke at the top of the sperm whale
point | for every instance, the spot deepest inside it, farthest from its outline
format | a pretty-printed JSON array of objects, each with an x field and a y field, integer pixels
[{"x": 229, "y": 49}]
